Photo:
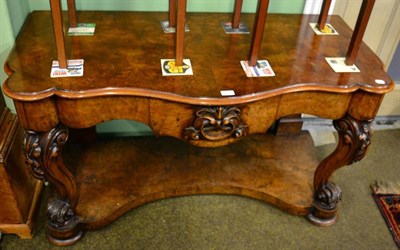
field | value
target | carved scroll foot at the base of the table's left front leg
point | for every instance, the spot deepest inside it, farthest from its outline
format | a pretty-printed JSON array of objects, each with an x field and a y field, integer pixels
[{"x": 62, "y": 227}]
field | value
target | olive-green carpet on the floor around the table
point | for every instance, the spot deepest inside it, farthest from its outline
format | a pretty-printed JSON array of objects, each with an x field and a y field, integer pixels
[{"x": 232, "y": 222}]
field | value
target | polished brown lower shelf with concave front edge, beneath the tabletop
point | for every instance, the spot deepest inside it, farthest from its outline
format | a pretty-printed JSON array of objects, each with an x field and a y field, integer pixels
[{"x": 117, "y": 175}]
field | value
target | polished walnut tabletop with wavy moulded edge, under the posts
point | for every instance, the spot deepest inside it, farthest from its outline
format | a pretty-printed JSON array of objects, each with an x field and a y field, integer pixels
[{"x": 123, "y": 59}]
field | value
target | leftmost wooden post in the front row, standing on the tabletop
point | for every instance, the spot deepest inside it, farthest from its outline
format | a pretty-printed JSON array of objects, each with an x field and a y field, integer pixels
[{"x": 56, "y": 15}]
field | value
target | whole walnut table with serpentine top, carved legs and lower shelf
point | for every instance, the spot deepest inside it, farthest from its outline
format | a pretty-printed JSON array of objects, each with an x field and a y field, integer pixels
[{"x": 205, "y": 143}]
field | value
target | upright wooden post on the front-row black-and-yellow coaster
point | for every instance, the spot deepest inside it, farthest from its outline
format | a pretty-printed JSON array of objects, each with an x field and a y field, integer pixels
[{"x": 180, "y": 32}]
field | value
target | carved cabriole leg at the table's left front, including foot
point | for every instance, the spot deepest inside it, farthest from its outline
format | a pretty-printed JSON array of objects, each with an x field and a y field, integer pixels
[{"x": 43, "y": 155}]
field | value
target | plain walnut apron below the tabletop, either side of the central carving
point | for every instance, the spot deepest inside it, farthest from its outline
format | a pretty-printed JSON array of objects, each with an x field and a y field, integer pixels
[{"x": 172, "y": 118}]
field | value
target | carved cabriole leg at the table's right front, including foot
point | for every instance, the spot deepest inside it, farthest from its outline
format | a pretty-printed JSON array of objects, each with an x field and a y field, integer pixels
[{"x": 354, "y": 139}]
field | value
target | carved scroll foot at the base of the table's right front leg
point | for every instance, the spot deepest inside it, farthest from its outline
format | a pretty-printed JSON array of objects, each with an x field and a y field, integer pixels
[{"x": 325, "y": 205}]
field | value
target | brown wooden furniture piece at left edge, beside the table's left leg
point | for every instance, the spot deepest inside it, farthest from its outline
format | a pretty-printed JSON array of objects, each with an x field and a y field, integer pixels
[{"x": 19, "y": 191}]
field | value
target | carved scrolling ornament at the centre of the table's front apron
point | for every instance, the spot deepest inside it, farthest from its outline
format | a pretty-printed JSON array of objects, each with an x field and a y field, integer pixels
[{"x": 215, "y": 124}]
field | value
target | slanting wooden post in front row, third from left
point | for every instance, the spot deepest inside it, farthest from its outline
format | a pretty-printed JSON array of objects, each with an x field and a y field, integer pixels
[{"x": 258, "y": 31}]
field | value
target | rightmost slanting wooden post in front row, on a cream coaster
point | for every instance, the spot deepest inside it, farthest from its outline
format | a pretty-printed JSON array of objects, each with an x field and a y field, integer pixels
[{"x": 359, "y": 30}]
